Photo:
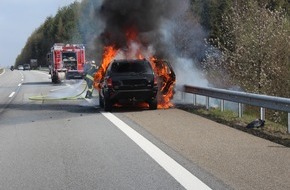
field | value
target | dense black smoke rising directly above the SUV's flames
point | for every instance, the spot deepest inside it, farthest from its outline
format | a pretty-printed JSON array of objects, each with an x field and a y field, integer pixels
[{"x": 138, "y": 16}]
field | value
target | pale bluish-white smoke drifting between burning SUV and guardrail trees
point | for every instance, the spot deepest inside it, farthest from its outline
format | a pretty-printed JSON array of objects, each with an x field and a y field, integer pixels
[{"x": 183, "y": 41}]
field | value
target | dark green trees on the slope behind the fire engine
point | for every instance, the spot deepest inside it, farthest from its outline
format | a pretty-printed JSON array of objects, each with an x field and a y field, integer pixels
[{"x": 63, "y": 27}]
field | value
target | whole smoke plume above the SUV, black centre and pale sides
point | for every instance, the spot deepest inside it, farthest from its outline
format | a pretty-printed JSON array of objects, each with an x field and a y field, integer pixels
[{"x": 164, "y": 28}]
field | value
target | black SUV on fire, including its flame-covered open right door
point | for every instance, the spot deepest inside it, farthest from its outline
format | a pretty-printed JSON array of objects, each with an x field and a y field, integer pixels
[{"x": 137, "y": 80}]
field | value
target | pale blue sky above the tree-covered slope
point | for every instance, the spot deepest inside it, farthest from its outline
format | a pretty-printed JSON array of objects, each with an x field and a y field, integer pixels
[{"x": 18, "y": 19}]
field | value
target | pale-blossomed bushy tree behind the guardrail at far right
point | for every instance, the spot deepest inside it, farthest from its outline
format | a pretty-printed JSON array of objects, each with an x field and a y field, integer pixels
[{"x": 256, "y": 52}]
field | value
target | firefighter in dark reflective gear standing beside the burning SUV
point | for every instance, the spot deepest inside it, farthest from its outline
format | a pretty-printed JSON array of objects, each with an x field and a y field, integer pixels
[{"x": 90, "y": 69}]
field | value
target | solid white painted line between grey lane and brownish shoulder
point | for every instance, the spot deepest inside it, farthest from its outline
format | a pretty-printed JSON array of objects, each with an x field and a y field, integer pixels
[{"x": 183, "y": 176}]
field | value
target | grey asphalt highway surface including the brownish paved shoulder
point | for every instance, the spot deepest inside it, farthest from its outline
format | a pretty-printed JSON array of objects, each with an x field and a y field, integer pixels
[{"x": 73, "y": 144}]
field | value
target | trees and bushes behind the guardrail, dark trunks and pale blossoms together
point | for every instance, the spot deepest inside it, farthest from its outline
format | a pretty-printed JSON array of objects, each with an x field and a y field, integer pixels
[{"x": 248, "y": 46}]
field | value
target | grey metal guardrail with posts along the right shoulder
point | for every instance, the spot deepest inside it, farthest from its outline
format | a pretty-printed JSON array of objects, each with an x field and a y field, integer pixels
[{"x": 262, "y": 101}]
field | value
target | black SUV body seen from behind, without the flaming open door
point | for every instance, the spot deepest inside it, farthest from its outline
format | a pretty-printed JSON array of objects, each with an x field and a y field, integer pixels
[{"x": 128, "y": 81}]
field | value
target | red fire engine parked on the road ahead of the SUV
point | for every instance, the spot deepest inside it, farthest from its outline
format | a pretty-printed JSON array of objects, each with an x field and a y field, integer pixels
[{"x": 66, "y": 61}]
